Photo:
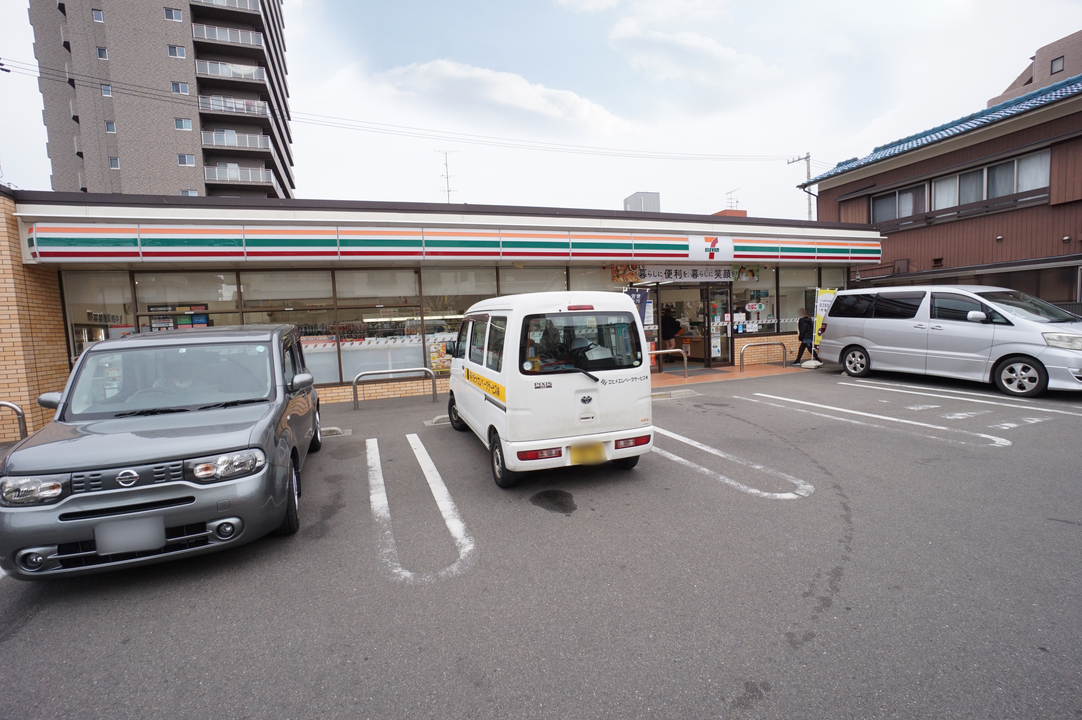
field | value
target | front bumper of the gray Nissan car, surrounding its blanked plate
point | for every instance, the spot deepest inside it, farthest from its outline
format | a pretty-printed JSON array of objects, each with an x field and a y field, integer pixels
[{"x": 63, "y": 534}]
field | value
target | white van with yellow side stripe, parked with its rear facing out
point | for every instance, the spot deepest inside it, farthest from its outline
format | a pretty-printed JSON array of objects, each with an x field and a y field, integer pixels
[{"x": 553, "y": 379}]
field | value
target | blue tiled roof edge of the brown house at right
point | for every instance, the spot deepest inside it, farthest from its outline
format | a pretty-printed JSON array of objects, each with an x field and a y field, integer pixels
[{"x": 1011, "y": 109}]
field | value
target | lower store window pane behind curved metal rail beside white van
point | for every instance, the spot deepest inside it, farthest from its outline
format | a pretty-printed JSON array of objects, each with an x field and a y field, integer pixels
[{"x": 380, "y": 339}]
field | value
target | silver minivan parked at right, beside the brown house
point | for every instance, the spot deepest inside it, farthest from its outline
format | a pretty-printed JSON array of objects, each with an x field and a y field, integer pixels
[{"x": 1022, "y": 344}]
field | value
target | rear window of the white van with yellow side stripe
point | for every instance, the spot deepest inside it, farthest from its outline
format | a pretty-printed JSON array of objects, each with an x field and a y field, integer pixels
[{"x": 563, "y": 343}]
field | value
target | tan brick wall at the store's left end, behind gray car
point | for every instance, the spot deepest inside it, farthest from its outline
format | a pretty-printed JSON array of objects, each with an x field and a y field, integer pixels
[{"x": 34, "y": 357}]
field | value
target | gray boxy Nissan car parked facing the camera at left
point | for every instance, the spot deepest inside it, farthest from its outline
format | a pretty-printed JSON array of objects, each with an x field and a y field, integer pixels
[{"x": 164, "y": 446}]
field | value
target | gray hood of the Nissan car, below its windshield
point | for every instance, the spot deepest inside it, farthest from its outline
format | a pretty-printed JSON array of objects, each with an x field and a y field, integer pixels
[{"x": 71, "y": 447}]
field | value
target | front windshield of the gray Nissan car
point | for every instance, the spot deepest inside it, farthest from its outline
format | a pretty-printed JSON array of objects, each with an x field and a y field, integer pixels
[{"x": 139, "y": 382}]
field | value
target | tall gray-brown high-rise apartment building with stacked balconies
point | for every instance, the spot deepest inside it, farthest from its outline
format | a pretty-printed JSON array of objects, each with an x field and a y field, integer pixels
[{"x": 177, "y": 98}]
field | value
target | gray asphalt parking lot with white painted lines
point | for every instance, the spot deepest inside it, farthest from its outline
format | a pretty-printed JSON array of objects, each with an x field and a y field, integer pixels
[{"x": 804, "y": 545}]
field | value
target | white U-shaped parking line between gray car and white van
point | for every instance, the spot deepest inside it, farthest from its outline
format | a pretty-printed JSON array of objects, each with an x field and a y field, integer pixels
[{"x": 381, "y": 514}]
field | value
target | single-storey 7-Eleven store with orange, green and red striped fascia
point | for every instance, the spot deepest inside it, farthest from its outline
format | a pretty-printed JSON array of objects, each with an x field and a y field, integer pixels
[{"x": 381, "y": 286}]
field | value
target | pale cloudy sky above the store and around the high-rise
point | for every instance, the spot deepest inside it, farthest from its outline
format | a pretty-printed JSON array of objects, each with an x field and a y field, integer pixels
[{"x": 640, "y": 77}]
